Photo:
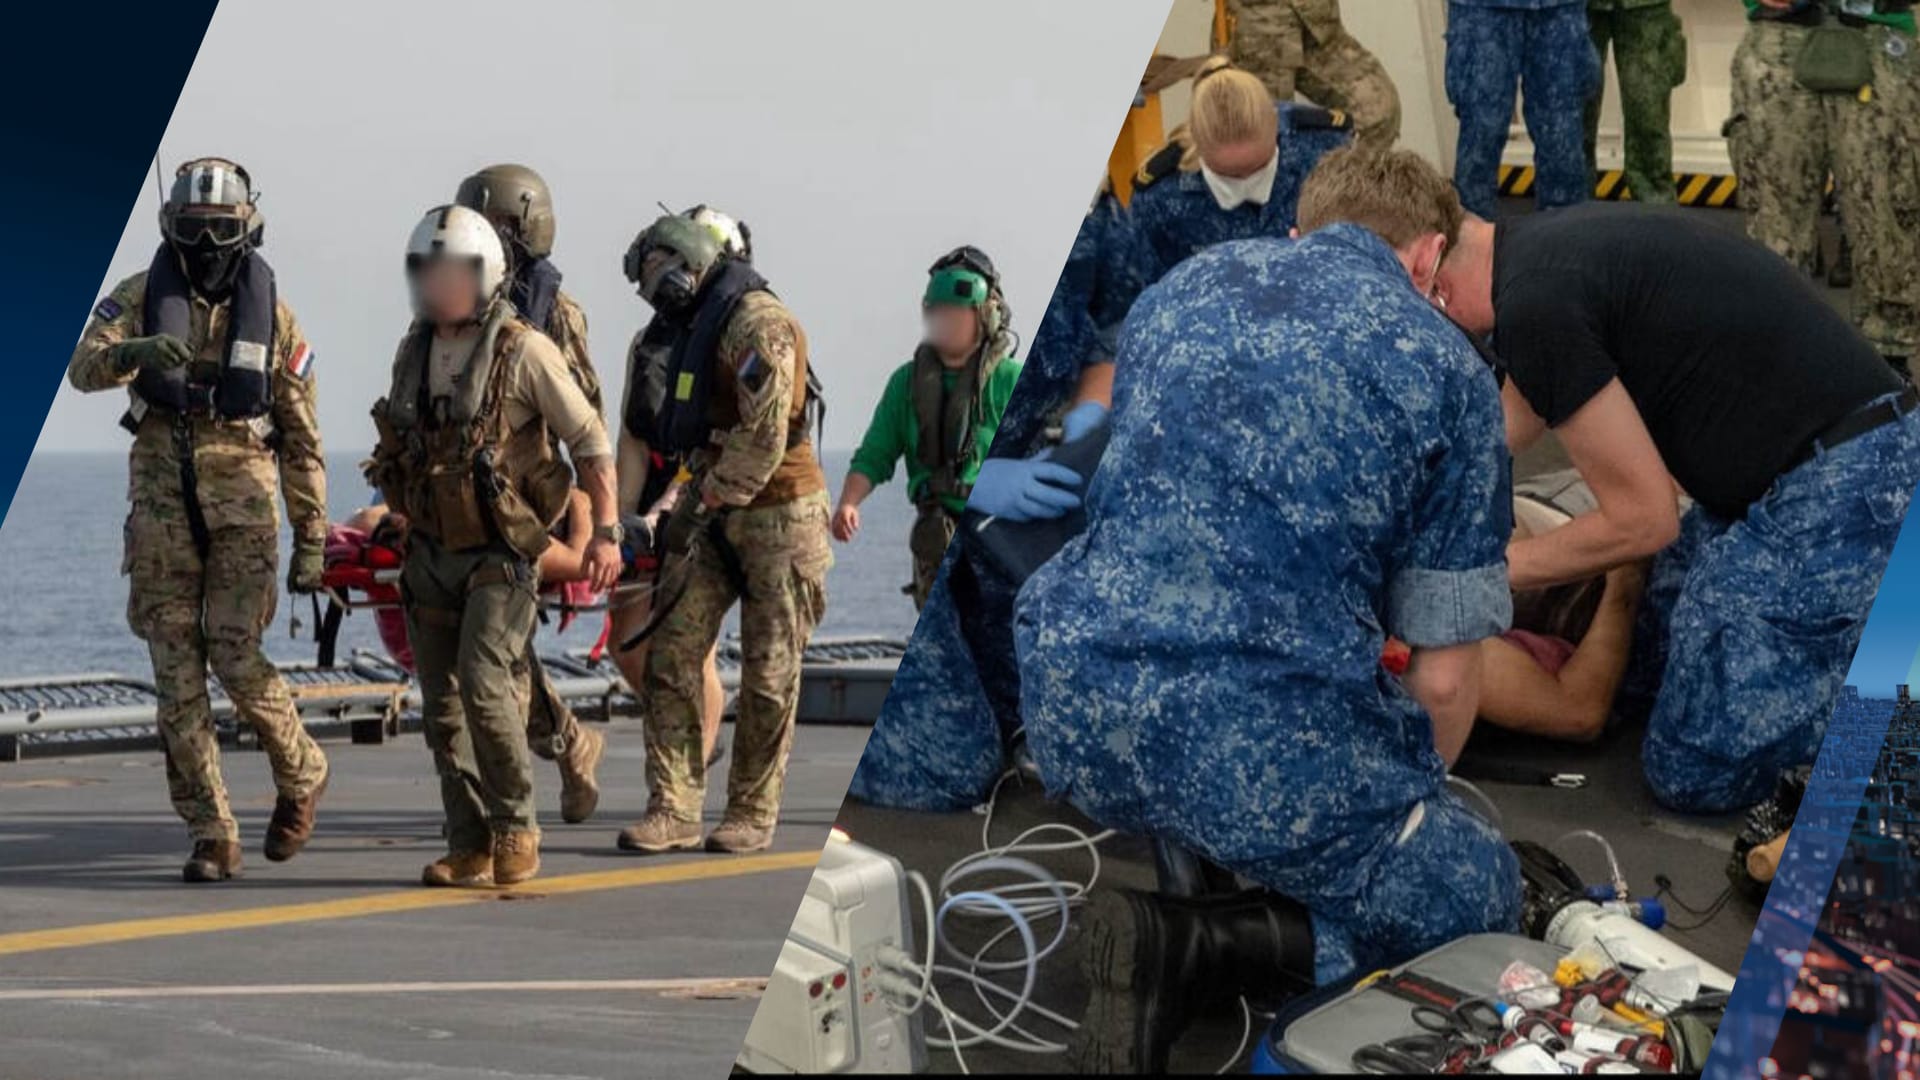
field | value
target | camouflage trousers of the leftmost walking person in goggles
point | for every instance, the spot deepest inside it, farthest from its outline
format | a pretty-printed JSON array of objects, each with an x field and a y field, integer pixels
[{"x": 199, "y": 614}]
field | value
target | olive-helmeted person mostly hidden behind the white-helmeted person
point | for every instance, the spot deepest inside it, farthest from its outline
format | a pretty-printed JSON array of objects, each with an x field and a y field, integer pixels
[{"x": 521, "y": 209}]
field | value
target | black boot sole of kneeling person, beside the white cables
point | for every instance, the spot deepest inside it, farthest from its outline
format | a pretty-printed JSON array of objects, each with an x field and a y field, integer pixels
[{"x": 1116, "y": 1033}]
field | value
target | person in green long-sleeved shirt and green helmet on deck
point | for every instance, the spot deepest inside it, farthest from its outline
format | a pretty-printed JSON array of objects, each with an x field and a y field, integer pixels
[{"x": 940, "y": 410}]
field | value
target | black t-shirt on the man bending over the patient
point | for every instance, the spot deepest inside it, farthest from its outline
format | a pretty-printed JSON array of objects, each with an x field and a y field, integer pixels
[{"x": 1729, "y": 353}]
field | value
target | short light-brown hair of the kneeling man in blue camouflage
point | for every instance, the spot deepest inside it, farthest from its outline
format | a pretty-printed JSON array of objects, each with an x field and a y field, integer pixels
[{"x": 1393, "y": 193}]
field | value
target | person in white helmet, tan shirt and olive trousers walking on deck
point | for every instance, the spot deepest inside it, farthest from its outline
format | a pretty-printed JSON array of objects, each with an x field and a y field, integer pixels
[{"x": 468, "y": 458}]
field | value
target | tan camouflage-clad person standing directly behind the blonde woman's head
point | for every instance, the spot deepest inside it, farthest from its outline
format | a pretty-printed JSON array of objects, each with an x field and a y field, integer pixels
[{"x": 1301, "y": 45}]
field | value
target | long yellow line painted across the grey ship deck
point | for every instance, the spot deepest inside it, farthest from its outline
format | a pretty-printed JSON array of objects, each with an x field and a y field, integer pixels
[{"x": 393, "y": 902}]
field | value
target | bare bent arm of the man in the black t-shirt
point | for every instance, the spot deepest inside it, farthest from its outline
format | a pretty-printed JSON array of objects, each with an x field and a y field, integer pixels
[{"x": 1612, "y": 449}]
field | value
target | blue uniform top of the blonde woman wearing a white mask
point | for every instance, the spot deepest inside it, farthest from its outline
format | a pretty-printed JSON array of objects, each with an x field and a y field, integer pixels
[{"x": 1174, "y": 214}]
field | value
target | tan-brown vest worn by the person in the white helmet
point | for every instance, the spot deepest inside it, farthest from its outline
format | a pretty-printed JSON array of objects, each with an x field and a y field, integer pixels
[{"x": 452, "y": 466}]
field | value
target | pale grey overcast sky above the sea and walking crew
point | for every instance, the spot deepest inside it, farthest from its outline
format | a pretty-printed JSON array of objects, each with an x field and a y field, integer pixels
[{"x": 857, "y": 137}]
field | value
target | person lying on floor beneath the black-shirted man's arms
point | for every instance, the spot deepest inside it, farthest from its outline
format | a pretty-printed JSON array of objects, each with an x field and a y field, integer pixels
[{"x": 1562, "y": 664}]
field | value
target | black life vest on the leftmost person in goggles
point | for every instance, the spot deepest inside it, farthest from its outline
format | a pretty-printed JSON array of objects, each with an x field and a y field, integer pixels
[{"x": 245, "y": 383}]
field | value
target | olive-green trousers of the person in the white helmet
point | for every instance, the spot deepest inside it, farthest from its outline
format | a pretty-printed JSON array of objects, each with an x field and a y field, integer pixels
[{"x": 469, "y": 618}]
